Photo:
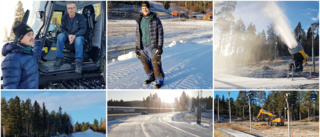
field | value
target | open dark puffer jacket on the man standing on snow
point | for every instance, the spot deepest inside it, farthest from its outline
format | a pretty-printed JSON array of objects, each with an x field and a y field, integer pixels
[{"x": 155, "y": 31}]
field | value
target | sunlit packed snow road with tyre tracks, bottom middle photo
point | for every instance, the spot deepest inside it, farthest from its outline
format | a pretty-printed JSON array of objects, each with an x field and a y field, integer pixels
[{"x": 157, "y": 125}]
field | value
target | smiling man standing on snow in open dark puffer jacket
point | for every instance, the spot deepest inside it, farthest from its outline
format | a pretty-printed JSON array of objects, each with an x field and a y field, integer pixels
[{"x": 149, "y": 43}]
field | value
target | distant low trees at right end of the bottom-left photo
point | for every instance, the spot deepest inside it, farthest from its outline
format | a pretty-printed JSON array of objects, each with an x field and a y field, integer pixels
[{"x": 81, "y": 127}]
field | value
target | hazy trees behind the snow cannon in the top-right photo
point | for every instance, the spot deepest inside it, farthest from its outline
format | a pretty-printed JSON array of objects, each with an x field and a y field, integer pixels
[{"x": 247, "y": 45}]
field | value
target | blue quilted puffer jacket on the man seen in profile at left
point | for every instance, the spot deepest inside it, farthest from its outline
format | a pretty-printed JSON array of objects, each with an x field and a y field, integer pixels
[{"x": 20, "y": 68}]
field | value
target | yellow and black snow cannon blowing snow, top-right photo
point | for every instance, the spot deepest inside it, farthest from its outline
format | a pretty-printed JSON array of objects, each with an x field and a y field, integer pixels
[{"x": 299, "y": 58}]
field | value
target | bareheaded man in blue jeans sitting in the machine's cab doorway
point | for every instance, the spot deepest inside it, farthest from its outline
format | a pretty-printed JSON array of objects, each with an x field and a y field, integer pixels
[{"x": 73, "y": 27}]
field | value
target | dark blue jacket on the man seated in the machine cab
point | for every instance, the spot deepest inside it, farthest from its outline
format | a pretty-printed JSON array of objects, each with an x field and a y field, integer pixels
[{"x": 78, "y": 27}]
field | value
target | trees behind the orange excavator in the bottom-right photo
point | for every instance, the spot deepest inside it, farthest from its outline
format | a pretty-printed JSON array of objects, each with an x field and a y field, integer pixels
[{"x": 302, "y": 104}]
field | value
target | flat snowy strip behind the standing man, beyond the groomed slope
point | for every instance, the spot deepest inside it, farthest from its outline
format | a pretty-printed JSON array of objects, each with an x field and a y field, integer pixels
[{"x": 121, "y": 33}]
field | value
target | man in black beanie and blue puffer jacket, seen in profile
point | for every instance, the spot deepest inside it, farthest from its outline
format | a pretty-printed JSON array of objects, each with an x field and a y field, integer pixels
[{"x": 20, "y": 68}]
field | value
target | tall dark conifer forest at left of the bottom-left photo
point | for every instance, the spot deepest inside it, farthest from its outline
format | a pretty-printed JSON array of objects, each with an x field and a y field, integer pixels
[{"x": 21, "y": 118}]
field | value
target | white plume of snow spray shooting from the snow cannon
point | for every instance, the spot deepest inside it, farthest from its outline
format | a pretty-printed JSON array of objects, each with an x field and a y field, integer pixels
[{"x": 281, "y": 24}]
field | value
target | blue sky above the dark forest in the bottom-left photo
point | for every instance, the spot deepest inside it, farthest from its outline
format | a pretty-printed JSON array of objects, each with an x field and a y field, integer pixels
[{"x": 83, "y": 106}]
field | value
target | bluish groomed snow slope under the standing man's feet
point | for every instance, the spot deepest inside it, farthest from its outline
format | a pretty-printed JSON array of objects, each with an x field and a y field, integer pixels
[{"x": 186, "y": 65}]
